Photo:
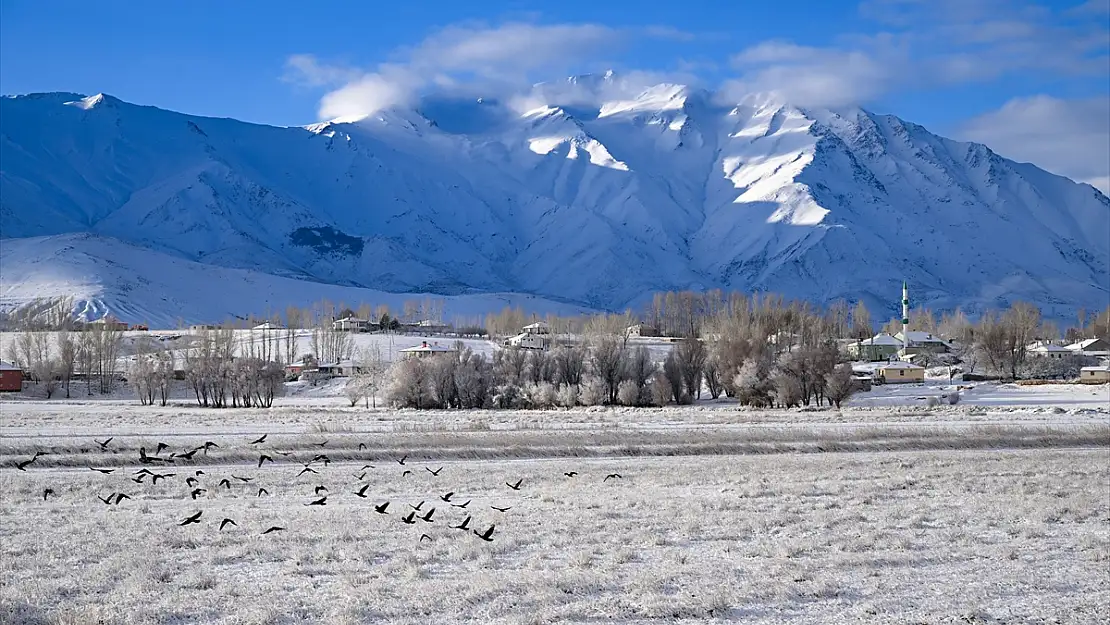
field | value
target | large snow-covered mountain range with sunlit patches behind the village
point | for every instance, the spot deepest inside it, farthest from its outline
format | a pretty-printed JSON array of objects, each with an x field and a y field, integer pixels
[{"x": 579, "y": 197}]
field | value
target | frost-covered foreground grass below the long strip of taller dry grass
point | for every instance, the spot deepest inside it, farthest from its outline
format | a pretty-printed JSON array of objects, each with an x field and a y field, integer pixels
[{"x": 884, "y": 538}]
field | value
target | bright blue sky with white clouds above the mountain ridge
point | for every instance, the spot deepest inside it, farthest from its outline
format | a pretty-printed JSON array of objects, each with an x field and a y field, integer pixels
[{"x": 1030, "y": 78}]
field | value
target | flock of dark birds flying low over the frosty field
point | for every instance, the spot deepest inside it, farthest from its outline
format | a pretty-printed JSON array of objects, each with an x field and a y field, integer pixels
[{"x": 416, "y": 516}]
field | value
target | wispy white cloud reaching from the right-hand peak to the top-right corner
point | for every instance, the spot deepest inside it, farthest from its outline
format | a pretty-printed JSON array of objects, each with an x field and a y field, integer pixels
[{"x": 927, "y": 44}]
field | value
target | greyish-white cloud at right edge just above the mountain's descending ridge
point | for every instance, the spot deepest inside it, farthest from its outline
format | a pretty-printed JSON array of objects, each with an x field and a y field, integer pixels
[{"x": 1071, "y": 138}]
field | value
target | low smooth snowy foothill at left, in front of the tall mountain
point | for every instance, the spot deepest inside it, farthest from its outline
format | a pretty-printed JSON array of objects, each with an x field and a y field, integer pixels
[{"x": 142, "y": 286}]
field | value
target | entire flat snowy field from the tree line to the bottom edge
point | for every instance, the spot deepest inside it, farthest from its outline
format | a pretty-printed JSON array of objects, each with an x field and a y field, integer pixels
[{"x": 990, "y": 513}]
